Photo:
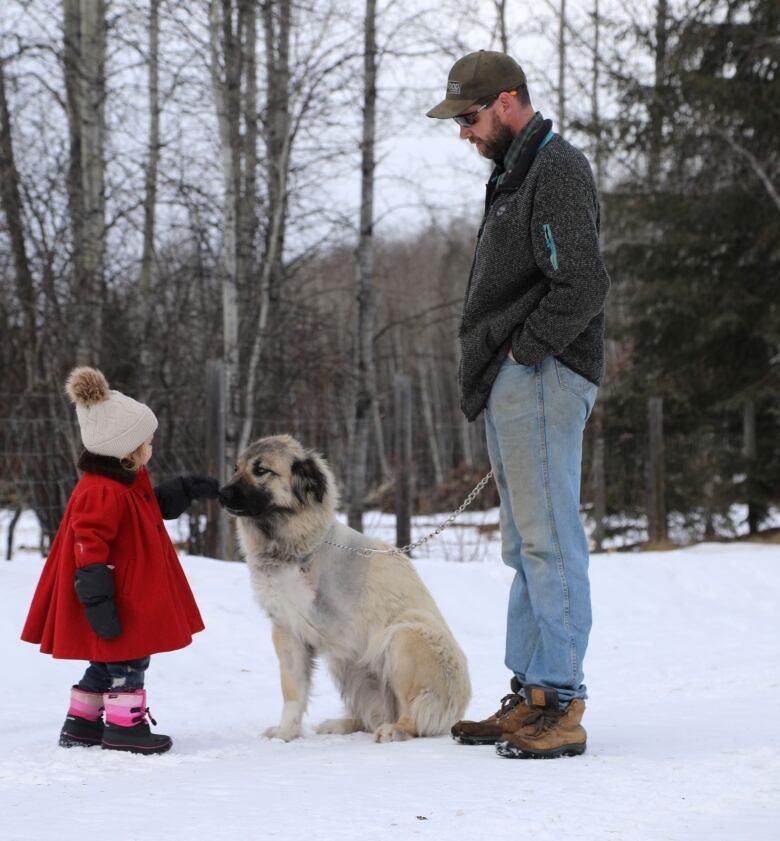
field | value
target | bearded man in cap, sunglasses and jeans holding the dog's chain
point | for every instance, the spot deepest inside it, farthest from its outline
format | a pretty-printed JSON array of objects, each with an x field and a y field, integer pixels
[{"x": 532, "y": 349}]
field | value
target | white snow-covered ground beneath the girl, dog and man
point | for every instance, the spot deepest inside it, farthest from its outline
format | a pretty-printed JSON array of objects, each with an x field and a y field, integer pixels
[{"x": 683, "y": 718}]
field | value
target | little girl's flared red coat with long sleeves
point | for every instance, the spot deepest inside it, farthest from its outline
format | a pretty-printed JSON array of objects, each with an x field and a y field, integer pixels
[{"x": 110, "y": 522}]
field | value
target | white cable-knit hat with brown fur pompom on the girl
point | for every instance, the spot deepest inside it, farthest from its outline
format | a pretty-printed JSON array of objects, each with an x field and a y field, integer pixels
[{"x": 112, "y": 424}]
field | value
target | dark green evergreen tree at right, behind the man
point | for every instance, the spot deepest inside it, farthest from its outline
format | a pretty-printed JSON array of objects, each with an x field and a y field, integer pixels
[{"x": 698, "y": 254}]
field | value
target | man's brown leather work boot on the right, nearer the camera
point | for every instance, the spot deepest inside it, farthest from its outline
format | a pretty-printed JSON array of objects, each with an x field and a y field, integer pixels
[{"x": 548, "y": 732}]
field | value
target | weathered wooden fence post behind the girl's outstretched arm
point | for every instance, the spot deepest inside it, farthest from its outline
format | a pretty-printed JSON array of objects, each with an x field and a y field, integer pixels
[{"x": 216, "y": 519}]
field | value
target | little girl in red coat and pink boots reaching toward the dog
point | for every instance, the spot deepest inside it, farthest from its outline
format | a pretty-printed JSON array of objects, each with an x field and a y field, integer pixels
[{"x": 112, "y": 590}]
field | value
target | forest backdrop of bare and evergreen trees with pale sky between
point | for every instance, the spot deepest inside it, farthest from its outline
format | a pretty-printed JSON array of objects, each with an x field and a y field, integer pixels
[{"x": 243, "y": 198}]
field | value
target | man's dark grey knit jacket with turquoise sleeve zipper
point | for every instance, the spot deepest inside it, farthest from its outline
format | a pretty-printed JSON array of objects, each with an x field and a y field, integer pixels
[{"x": 537, "y": 284}]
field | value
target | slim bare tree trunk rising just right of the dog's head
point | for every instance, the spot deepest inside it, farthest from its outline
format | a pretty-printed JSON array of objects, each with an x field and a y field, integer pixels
[{"x": 363, "y": 357}]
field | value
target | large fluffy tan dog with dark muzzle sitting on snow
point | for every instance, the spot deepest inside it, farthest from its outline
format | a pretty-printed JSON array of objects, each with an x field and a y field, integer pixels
[{"x": 399, "y": 670}]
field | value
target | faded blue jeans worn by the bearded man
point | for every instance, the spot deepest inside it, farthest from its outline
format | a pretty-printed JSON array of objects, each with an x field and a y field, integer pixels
[{"x": 535, "y": 419}]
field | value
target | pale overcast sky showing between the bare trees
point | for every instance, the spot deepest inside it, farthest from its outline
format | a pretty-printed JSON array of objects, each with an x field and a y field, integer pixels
[{"x": 425, "y": 171}]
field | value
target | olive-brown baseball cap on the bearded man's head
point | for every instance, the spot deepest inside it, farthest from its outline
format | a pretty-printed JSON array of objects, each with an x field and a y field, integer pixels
[{"x": 475, "y": 77}]
